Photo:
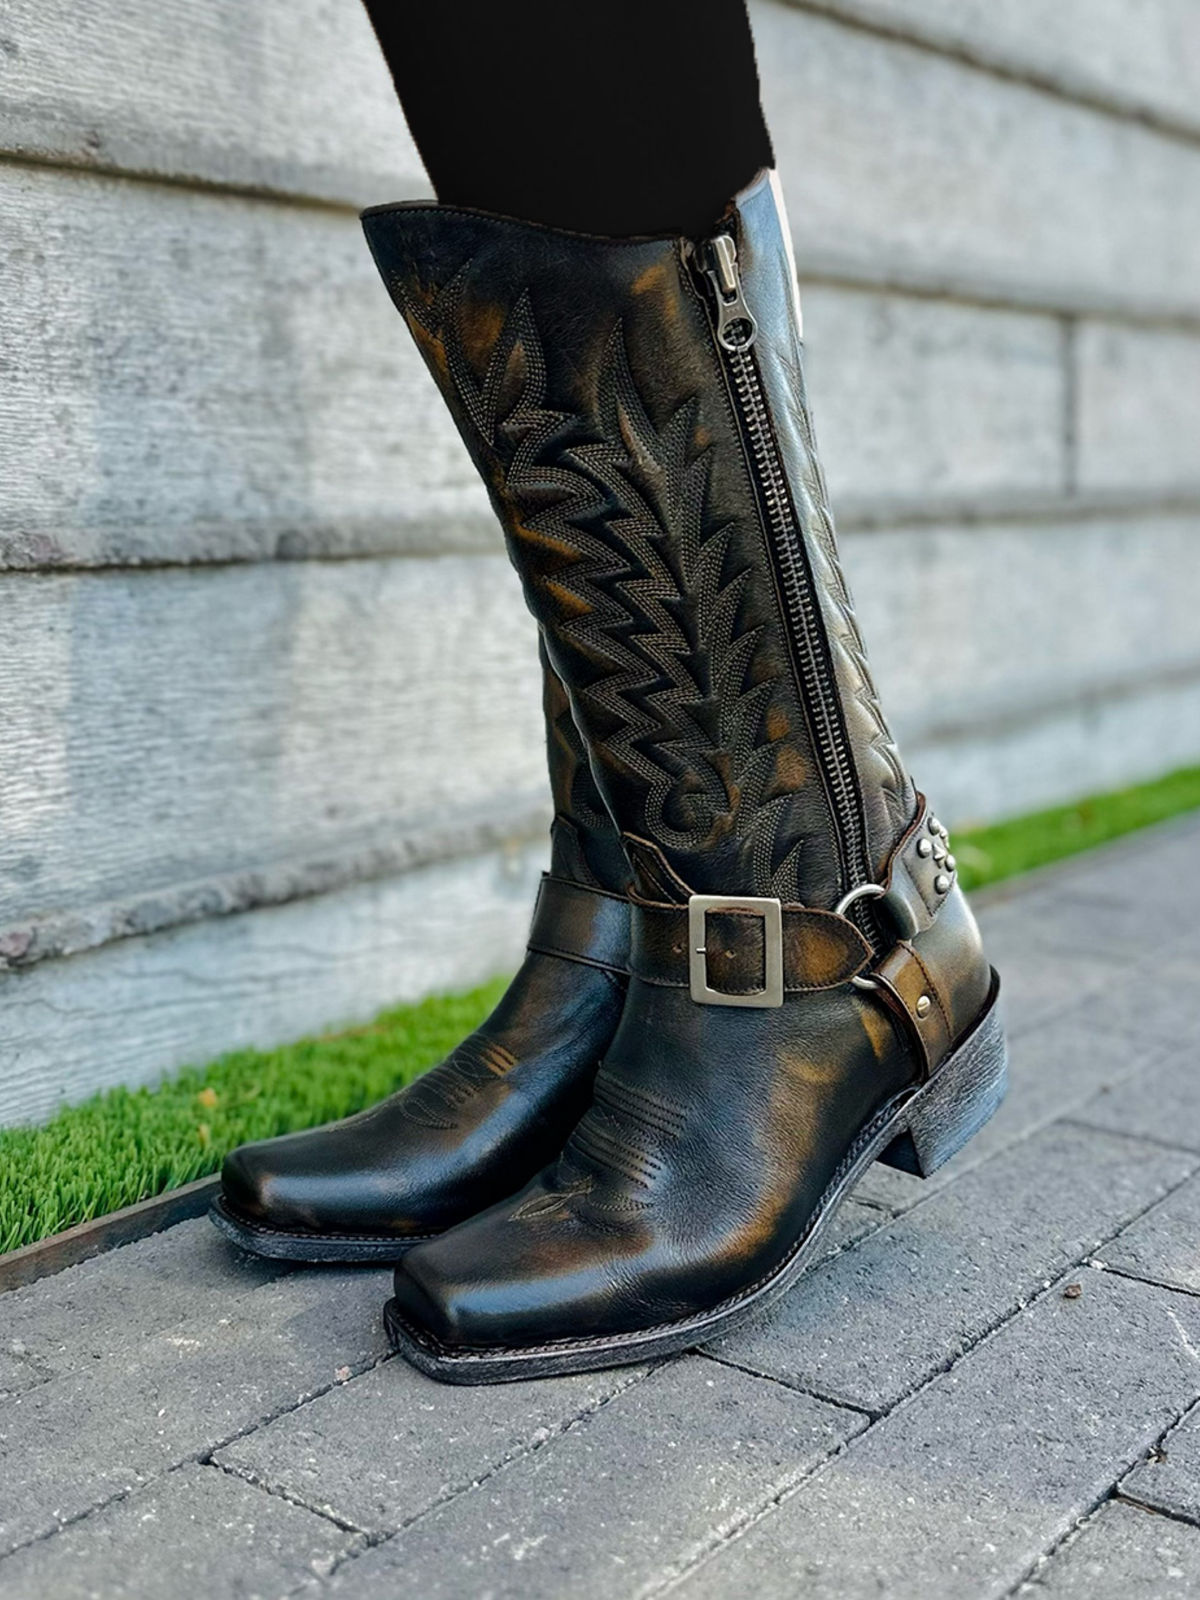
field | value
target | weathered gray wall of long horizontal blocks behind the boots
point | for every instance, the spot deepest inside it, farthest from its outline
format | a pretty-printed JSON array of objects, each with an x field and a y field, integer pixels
[{"x": 239, "y": 542}]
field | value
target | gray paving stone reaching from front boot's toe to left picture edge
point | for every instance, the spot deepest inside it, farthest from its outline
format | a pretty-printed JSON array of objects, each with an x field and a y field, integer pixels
[{"x": 82, "y": 1439}]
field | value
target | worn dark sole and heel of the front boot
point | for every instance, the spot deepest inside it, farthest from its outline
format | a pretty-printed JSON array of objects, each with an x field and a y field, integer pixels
[{"x": 916, "y": 1132}]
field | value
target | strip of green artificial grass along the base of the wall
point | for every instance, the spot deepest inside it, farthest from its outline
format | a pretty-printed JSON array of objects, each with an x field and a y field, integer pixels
[{"x": 127, "y": 1145}]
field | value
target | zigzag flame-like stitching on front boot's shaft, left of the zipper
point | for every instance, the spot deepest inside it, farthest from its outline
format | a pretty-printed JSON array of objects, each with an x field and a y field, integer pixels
[{"x": 628, "y": 513}]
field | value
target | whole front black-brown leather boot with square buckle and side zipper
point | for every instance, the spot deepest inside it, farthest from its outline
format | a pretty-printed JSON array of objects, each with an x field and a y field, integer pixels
[{"x": 809, "y": 993}]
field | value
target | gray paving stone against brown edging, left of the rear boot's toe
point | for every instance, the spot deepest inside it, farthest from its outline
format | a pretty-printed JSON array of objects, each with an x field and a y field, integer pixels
[{"x": 114, "y": 1300}]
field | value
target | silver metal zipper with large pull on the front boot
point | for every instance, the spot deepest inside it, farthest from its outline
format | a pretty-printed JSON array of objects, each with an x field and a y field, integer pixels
[{"x": 737, "y": 332}]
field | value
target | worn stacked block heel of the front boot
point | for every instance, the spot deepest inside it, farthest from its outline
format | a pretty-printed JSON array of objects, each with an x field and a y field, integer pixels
[{"x": 956, "y": 1103}]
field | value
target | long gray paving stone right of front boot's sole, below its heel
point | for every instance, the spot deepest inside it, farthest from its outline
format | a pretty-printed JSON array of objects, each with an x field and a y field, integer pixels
[{"x": 887, "y": 1316}]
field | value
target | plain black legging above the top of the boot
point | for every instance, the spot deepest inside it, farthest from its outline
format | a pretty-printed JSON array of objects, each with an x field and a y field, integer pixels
[{"x": 610, "y": 118}]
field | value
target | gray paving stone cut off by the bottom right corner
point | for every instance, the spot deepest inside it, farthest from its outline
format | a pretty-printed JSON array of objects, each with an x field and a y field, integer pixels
[{"x": 1124, "y": 1553}]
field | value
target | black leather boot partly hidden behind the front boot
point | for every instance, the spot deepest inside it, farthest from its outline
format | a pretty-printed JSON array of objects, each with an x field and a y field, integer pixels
[{"x": 487, "y": 1119}]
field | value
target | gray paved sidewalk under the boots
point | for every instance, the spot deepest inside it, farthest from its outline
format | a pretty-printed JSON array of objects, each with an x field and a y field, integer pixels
[{"x": 988, "y": 1383}]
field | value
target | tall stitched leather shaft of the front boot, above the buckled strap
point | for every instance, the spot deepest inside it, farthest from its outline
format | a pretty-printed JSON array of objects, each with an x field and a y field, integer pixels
[{"x": 657, "y": 479}]
